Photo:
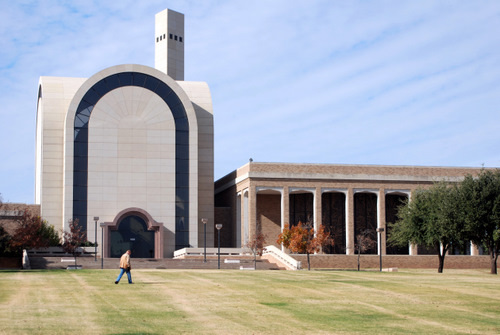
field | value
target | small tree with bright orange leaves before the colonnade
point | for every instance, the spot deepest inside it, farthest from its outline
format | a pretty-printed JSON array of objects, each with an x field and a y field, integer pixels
[{"x": 303, "y": 239}]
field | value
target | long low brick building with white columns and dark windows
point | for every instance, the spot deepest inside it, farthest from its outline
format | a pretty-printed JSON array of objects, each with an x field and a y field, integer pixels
[{"x": 347, "y": 199}]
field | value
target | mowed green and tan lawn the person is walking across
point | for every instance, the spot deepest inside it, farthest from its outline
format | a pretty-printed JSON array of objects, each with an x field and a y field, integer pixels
[{"x": 249, "y": 302}]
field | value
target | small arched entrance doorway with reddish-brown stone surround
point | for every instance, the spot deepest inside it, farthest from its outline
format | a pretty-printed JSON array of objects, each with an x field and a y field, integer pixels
[{"x": 133, "y": 229}]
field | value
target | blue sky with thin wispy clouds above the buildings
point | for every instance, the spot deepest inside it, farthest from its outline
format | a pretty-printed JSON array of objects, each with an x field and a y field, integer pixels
[{"x": 341, "y": 82}]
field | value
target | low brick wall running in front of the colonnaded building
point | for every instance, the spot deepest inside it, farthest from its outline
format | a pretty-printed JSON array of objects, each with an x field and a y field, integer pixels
[{"x": 393, "y": 261}]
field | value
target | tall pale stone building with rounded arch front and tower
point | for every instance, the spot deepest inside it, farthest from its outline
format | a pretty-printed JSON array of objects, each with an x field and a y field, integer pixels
[{"x": 131, "y": 147}]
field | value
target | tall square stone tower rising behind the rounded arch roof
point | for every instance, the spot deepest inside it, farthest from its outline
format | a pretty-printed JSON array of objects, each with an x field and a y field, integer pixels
[{"x": 169, "y": 47}]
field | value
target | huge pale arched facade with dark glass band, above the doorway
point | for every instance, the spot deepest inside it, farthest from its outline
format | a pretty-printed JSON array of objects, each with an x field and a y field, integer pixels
[{"x": 130, "y": 132}]
